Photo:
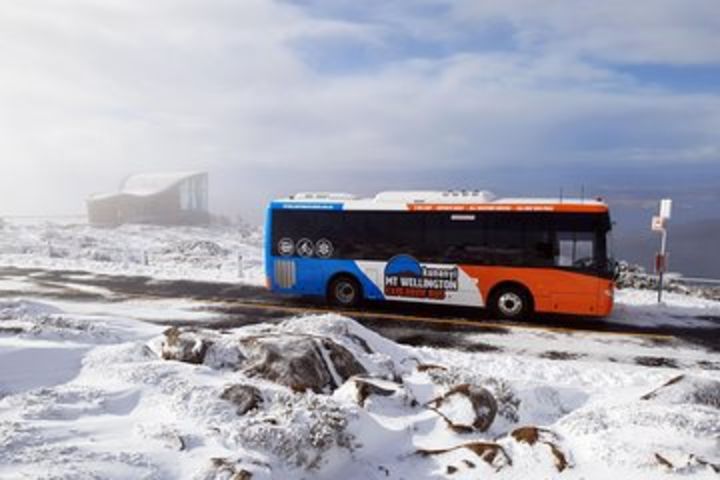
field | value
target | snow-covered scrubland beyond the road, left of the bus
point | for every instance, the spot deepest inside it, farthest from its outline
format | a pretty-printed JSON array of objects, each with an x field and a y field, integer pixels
[{"x": 211, "y": 254}]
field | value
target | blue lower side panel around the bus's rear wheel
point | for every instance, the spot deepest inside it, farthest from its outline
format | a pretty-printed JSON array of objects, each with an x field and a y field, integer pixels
[{"x": 312, "y": 276}]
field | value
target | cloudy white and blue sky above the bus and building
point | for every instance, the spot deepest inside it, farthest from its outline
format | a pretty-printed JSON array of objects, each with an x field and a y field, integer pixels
[{"x": 523, "y": 97}]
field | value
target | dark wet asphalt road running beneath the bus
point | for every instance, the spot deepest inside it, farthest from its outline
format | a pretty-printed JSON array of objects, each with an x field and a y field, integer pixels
[{"x": 237, "y": 305}]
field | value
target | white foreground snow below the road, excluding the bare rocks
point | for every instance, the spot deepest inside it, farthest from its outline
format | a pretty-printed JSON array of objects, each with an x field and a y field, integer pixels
[{"x": 96, "y": 394}]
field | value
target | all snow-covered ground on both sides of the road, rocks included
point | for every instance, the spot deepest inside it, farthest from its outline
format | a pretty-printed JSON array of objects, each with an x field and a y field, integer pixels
[{"x": 95, "y": 388}]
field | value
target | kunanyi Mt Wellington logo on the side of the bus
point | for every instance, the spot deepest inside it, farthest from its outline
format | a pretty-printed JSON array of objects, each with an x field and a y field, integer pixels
[{"x": 406, "y": 277}]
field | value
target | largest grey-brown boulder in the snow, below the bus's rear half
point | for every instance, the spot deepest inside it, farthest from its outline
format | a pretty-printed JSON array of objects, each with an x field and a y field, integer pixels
[{"x": 300, "y": 362}]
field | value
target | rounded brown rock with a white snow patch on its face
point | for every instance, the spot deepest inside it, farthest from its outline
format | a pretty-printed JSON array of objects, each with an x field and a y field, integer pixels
[{"x": 466, "y": 408}]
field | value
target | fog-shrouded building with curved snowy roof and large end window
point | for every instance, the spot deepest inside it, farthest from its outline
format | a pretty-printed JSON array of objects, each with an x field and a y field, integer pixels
[{"x": 177, "y": 198}]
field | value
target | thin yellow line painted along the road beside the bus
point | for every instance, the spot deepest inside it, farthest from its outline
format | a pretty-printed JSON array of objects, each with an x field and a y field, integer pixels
[{"x": 446, "y": 321}]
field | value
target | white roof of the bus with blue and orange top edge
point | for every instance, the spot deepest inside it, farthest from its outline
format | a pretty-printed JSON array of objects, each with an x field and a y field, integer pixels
[{"x": 461, "y": 200}]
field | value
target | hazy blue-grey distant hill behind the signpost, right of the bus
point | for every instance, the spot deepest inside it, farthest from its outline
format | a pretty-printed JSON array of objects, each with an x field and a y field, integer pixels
[{"x": 694, "y": 248}]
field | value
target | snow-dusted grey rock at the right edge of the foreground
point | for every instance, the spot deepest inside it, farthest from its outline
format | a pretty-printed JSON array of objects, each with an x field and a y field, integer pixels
[{"x": 687, "y": 389}]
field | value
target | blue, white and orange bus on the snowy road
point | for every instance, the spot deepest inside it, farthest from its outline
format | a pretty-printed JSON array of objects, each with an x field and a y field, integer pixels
[{"x": 512, "y": 256}]
